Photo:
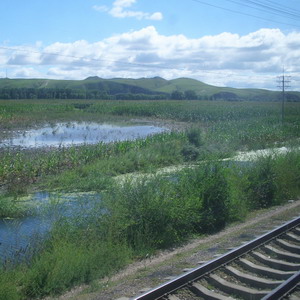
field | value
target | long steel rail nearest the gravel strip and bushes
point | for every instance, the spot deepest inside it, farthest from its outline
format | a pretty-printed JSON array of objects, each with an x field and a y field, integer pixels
[{"x": 198, "y": 272}]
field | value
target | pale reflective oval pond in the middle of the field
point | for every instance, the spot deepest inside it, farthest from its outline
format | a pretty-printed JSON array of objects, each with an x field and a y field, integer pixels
[{"x": 77, "y": 133}]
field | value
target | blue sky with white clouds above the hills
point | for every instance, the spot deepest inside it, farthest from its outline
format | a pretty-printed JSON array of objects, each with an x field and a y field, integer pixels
[{"x": 237, "y": 43}]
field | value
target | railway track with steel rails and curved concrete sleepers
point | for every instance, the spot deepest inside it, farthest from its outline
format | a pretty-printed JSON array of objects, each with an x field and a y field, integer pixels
[{"x": 265, "y": 268}]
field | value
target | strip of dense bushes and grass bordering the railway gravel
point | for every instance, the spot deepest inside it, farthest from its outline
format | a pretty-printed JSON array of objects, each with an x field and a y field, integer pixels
[{"x": 141, "y": 217}]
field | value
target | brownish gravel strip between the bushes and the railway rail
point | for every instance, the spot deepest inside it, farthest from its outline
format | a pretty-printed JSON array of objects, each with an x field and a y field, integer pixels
[{"x": 158, "y": 269}]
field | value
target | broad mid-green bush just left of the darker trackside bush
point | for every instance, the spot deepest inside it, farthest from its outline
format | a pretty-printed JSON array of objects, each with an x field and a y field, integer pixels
[{"x": 140, "y": 214}]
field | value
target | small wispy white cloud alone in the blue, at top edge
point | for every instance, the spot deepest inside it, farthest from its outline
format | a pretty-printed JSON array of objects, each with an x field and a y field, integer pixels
[{"x": 119, "y": 10}]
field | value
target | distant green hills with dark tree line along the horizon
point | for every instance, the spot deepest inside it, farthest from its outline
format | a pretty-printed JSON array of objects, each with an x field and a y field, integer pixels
[{"x": 126, "y": 88}]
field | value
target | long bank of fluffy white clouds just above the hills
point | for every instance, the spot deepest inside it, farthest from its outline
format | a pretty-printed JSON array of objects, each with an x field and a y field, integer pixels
[{"x": 252, "y": 60}]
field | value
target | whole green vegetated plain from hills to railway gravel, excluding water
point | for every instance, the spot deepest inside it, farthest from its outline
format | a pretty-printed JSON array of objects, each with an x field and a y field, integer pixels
[{"x": 140, "y": 216}]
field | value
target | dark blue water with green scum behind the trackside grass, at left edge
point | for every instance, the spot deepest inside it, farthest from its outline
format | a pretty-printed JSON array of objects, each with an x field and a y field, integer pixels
[{"x": 19, "y": 236}]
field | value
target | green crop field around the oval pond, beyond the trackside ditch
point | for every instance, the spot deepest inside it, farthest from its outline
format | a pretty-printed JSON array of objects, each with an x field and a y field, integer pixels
[{"x": 209, "y": 129}]
